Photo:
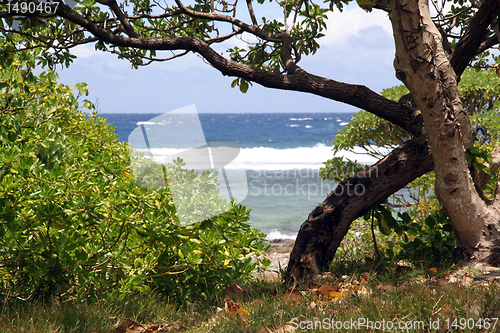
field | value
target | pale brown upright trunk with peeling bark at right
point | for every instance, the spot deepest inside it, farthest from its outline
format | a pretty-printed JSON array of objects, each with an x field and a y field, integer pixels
[{"x": 421, "y": 63}]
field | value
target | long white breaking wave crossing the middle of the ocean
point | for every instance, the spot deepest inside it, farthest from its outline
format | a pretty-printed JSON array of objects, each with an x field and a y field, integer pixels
[{"x": 264, "y": 158}]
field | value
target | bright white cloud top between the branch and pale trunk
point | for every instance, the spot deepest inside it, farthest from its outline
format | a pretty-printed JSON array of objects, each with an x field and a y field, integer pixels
[{"x": 349, "y": 23}]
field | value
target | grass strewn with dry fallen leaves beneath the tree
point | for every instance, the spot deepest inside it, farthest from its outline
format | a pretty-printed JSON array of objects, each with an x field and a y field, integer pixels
[{"x": 409, "y": 296}]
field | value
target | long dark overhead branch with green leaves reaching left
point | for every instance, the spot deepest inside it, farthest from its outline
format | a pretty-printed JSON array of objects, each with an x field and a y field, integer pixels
[{"x": 146, "y": 31}]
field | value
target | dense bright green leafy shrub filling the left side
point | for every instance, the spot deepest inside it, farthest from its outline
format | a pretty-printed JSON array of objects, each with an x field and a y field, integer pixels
[{"x": 74, "y": 222}]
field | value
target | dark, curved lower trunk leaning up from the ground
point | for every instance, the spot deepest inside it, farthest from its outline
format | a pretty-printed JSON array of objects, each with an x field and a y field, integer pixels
[{"x": 321, "y": 234}]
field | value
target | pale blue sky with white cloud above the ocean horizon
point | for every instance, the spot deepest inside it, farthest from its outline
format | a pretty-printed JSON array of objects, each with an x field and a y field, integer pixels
[{"x": 358, "y": 48}]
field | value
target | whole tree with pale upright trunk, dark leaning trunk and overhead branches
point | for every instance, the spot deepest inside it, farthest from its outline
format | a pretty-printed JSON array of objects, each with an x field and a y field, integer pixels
[{"x": 431, "y": 55}]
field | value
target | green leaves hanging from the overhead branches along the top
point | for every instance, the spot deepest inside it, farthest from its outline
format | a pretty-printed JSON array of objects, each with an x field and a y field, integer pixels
[{"x": 207, "y": 21}]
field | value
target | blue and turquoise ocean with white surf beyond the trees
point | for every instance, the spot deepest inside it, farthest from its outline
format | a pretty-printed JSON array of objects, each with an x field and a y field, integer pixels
[{"x": 281, "y": 154}]
